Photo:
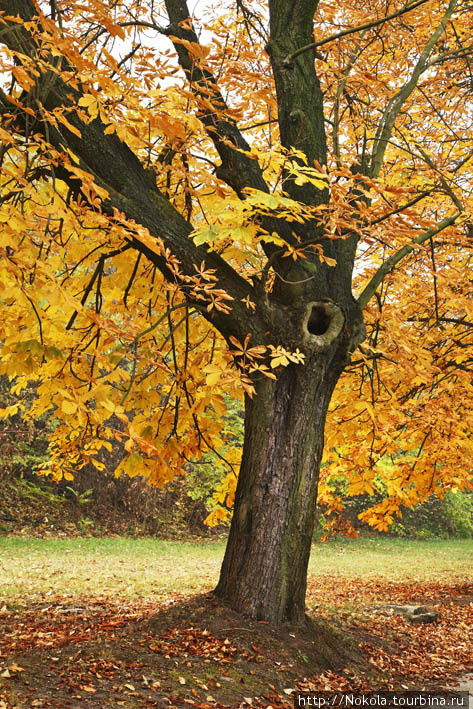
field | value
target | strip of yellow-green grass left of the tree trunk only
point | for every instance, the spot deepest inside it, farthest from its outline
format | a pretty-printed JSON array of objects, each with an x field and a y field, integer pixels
[{"x": 132, "y": 568}]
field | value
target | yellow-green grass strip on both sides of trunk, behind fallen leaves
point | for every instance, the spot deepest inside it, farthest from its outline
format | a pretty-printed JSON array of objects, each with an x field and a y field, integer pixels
[{"x": 154, "y": 569}]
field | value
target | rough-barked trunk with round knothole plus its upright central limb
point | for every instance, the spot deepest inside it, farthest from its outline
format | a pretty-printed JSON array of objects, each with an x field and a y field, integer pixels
[{"x": 264, "y": 572}]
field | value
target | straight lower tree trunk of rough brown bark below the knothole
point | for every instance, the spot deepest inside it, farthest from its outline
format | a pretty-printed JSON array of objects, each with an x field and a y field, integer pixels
[{"x": 264, "y": 571}]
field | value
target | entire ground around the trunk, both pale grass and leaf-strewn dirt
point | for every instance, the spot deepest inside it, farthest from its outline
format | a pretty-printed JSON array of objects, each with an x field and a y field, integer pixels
[{"x": 119, "y": 622}]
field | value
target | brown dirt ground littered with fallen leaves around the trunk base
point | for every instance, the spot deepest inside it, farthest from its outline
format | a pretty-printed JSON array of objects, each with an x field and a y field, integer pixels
[{"x": 198, "y": 653}]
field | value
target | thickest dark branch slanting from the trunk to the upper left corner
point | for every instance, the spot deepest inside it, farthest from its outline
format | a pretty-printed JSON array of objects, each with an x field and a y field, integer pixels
[{"x": 131, "y": 191}]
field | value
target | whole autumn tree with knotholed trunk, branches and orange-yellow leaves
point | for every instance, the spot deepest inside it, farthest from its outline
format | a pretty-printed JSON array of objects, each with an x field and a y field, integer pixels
[{"x": 154, "y": 256}]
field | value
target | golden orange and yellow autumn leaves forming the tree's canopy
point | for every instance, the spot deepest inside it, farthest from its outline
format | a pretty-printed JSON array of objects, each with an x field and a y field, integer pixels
[{"x": 123, "y": 337}]
